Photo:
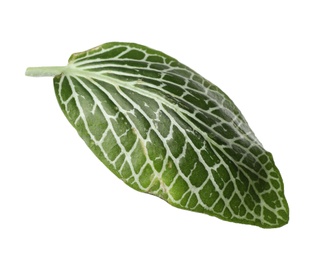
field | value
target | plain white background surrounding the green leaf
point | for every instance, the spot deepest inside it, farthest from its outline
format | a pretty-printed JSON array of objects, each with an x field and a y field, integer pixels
[{"x": 57, "y": 201}]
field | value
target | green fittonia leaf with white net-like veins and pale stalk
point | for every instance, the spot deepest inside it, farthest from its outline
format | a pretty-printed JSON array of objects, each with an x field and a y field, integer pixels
[{"x": 165, "y": 130}]
